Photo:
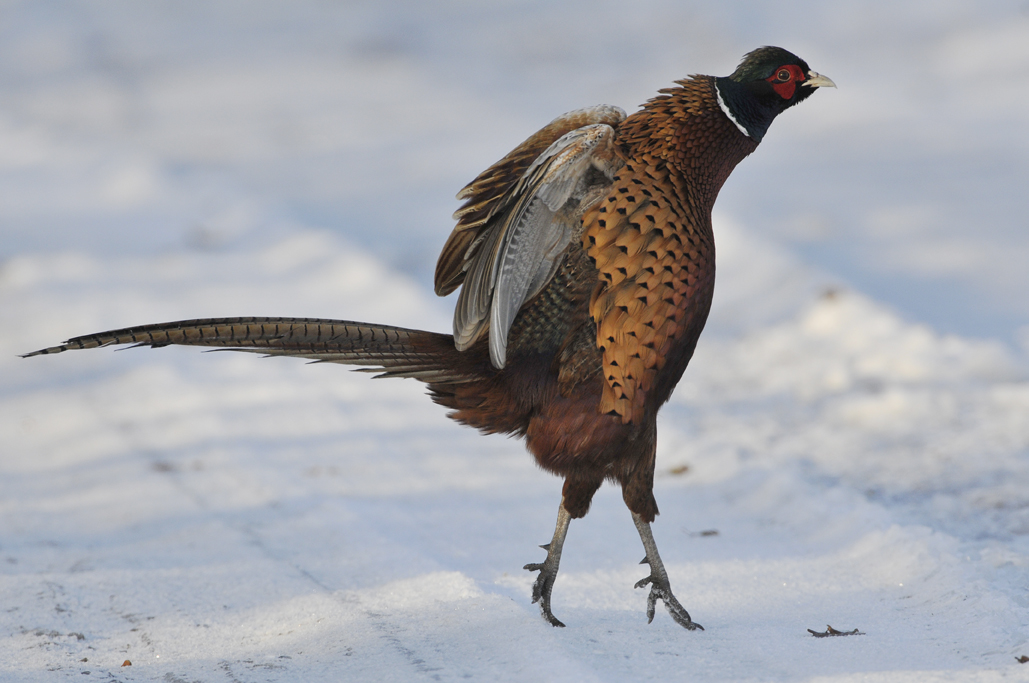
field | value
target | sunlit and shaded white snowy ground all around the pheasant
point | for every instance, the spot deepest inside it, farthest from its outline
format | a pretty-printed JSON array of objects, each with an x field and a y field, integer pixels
[{"x": 855, "y": 426}]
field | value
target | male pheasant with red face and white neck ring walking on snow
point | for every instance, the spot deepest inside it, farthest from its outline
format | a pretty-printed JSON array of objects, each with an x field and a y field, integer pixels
[{"x": 586, "y": 266}]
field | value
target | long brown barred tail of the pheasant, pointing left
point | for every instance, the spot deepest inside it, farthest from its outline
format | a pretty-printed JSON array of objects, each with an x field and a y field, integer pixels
[{"x": 392, "y": 351}]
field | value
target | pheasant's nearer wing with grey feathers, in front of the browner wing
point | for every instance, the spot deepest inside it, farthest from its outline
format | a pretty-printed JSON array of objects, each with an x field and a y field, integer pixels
[{"x": 515, "y": 259}]
